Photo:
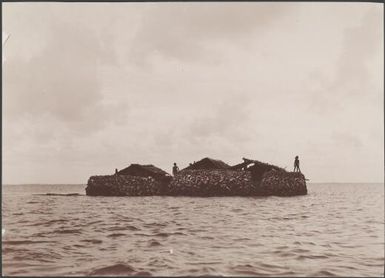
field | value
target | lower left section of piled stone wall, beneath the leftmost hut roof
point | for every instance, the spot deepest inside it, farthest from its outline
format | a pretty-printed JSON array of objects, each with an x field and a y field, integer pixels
[{"x": 123, "y": 185}]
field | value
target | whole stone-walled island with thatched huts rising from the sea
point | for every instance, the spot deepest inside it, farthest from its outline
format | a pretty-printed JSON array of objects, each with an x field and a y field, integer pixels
[{"x": 205, "y": 178}]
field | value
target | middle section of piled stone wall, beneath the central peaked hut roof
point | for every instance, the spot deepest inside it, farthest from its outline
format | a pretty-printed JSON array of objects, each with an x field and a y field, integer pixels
[{"x": 211, "y": 183}]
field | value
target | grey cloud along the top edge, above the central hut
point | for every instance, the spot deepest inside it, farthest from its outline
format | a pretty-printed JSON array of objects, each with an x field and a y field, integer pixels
[{"x": 185, "y": 31}]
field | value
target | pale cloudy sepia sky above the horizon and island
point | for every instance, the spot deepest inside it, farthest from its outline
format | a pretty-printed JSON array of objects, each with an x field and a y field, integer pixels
[{"x": 90, "y": 87}]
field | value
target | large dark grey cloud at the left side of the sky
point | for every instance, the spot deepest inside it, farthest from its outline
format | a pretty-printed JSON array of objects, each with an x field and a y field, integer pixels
[{"x": 62, "y": 81}]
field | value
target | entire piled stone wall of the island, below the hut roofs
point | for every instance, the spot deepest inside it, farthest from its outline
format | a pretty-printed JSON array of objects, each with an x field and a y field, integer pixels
[{"x": 202, "y": 183}]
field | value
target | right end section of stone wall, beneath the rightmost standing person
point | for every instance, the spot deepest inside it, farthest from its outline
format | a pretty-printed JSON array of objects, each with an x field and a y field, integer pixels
[{"x": 282, "y": 183}]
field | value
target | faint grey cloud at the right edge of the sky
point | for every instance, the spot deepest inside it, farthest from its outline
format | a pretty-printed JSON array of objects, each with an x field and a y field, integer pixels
[{"x": 352, "y": 77}]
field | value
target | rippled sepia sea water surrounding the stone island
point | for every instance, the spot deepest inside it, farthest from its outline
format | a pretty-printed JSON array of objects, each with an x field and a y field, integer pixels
[{"x": 336, "y": 230}]
